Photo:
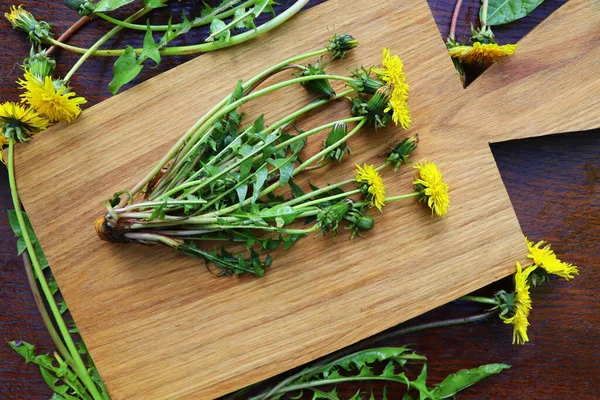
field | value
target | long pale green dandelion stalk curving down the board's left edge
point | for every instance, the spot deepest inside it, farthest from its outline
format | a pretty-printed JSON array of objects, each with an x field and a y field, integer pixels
[{"x": 80, "y": 368}]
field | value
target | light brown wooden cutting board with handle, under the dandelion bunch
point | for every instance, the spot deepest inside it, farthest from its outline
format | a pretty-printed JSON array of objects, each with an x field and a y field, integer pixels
[{"x": 160, "y": 326}]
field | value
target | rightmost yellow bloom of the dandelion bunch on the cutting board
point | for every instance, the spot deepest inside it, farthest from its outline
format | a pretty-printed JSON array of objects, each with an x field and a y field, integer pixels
[{"x": 433, "y": 189}]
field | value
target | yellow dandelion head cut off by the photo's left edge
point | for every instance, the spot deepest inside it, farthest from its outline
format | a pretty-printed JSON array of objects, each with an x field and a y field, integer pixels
[{"x": 19, "y": 122}]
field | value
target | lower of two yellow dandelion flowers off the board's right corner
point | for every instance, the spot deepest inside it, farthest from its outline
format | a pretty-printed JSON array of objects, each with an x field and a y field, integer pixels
[{"x": 522, "y": 306}]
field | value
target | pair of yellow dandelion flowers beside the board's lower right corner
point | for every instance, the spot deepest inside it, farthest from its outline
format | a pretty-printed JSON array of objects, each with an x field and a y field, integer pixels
[{"x": 545, "y": 259}]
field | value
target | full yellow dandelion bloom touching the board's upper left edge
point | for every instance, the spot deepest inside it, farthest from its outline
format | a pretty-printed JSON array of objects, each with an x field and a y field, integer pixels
[{"x": 50, "y": 98}]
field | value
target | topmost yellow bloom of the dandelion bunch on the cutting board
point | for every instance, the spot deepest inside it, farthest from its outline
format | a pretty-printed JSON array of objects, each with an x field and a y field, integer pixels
[{"x": 392, "y": 74}]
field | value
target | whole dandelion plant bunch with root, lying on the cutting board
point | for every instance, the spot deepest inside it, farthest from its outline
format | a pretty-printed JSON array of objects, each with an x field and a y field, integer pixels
[{"x": 217, "y": 183}]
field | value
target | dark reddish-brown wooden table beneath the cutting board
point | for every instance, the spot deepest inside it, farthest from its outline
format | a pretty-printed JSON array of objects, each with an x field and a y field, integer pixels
[{"x": 554, "y": 185}]
